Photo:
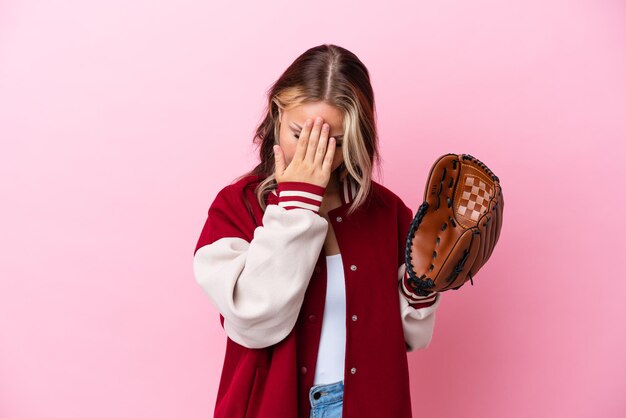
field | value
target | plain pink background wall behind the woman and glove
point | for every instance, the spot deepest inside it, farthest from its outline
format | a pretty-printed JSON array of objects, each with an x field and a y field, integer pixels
[{"x": 121, "y": 120}]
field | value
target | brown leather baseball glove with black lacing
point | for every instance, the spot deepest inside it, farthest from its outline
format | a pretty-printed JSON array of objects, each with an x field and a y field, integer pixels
[{"x": 457, "y": 227}]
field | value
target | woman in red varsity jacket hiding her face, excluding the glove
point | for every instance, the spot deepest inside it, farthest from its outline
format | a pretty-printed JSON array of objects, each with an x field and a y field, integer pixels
[{"x": 304, "y": 259}]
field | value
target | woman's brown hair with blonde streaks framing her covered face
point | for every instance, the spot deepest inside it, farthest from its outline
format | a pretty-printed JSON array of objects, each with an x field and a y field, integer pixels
[{"x": 336, "y": 76}]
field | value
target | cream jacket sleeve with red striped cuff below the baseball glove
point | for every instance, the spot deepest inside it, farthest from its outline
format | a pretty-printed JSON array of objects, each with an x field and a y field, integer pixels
[{"x": 418, "y": 316}]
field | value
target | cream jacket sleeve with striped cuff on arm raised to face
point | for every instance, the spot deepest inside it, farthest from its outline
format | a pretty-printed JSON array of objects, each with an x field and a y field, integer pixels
[{"x": 258, "y": 285}]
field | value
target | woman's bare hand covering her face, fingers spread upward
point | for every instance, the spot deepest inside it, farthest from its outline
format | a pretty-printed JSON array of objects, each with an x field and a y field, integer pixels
[{"x": 312, "y": 159}]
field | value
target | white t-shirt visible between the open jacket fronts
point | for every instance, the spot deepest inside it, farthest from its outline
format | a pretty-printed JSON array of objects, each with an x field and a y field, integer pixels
[{"x": 332, "y": 349}]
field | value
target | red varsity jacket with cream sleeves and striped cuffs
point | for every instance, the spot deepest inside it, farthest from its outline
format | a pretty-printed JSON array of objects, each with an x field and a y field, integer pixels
[{"x": 265, "y": 272}]
